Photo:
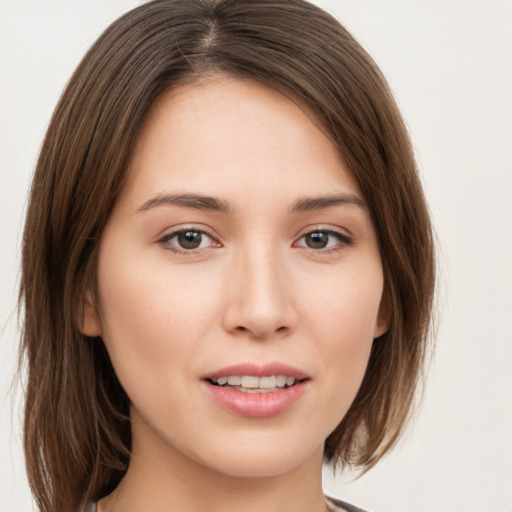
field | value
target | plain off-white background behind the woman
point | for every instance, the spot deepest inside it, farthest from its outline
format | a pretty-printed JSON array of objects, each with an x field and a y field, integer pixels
[{"x": 449, "y": 63}]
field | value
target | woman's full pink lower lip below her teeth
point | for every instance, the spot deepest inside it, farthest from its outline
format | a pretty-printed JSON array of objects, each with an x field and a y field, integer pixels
[{"x": 256, "y": 405}]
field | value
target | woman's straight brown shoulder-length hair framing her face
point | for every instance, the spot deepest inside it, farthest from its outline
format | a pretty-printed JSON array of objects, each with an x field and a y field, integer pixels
[{"x": 77, "y": 430}]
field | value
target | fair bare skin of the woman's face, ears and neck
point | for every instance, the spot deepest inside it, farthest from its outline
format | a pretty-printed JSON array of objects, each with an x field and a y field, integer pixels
[{"x": 252, "y": 291}]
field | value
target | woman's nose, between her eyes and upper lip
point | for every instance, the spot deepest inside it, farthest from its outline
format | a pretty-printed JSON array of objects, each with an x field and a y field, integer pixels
[{"x": 259, "y": 297}]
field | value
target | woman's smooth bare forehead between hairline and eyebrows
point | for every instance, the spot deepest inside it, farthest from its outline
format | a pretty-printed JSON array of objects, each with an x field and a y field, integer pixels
[{"x": 230, "y": 138}]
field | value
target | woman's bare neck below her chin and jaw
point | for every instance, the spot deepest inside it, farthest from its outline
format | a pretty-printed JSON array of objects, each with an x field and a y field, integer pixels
[{"x": 162, "y": 479}]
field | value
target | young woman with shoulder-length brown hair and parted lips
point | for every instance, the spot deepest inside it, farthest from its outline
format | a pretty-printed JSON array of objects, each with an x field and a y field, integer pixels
[{"x": 228, "y": 265}]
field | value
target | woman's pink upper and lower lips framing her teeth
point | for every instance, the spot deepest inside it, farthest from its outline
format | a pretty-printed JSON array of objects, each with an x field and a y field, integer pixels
[{"x": 256, "y": 405}]
